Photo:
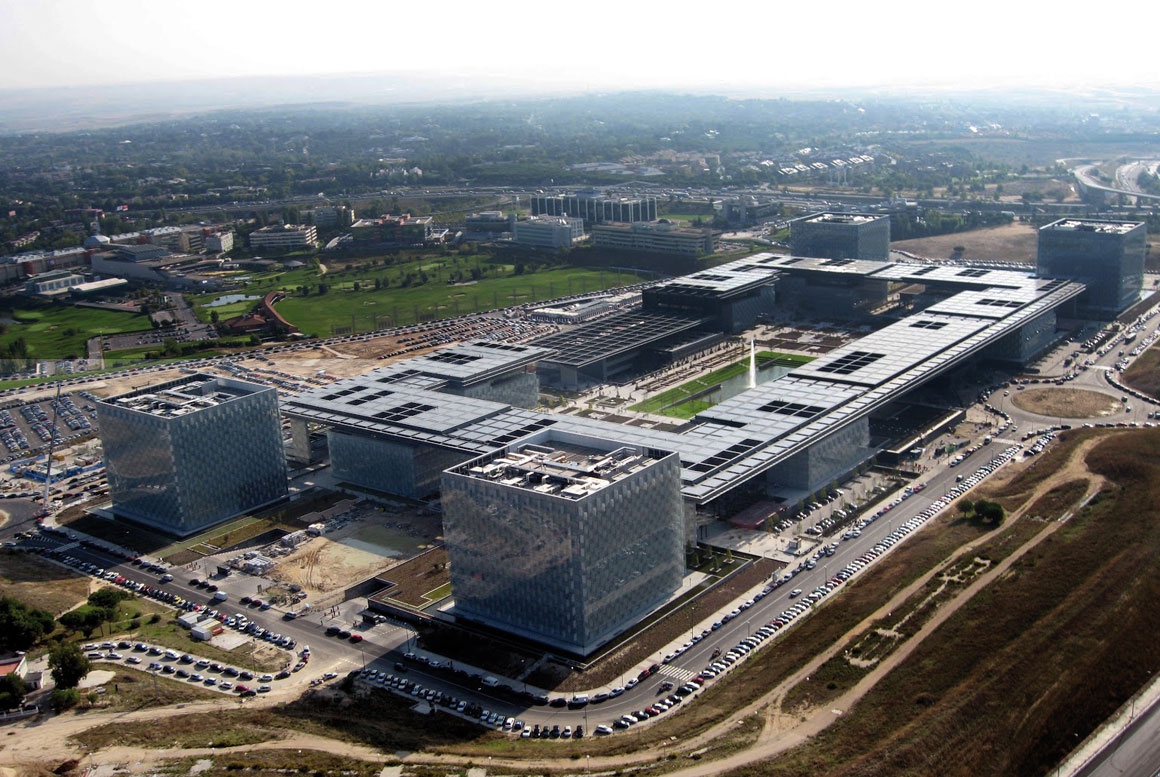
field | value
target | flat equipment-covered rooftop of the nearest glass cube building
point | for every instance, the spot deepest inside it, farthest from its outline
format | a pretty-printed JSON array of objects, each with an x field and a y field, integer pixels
[{"x": 561, "y": 469}]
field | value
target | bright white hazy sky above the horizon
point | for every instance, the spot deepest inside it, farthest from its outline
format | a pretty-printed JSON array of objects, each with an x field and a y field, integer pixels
[{"x": 591, "y": 46}]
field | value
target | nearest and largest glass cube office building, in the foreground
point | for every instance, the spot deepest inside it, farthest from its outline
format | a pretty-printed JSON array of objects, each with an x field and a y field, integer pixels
[{"x": 568, "y": 540}]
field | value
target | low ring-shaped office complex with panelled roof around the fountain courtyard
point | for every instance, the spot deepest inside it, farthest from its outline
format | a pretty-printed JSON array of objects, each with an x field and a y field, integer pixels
[{"x": 796, "y": 433}]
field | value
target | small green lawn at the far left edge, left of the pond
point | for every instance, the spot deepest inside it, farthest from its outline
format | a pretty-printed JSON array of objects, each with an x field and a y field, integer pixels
[{"x": 54, "y": 331}]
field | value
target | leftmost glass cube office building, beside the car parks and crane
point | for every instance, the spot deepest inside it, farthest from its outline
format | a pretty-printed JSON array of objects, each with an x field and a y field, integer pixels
[{"x": 185, "y": 455}]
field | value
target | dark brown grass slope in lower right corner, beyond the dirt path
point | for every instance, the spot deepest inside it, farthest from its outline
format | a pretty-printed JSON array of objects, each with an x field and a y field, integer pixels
[{"x": 1072, "y": 620}]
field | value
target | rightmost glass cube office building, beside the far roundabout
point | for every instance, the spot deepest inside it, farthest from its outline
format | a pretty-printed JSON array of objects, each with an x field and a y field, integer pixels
[{"x": 1107, "y": 257}]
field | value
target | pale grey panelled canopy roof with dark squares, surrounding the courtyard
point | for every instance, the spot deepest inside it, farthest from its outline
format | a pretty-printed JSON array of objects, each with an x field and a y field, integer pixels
[{"x": 741, "y": 438}]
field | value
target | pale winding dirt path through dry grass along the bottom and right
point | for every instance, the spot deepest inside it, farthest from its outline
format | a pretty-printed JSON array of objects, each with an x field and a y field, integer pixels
[{"x": 780, "y": 734}]
